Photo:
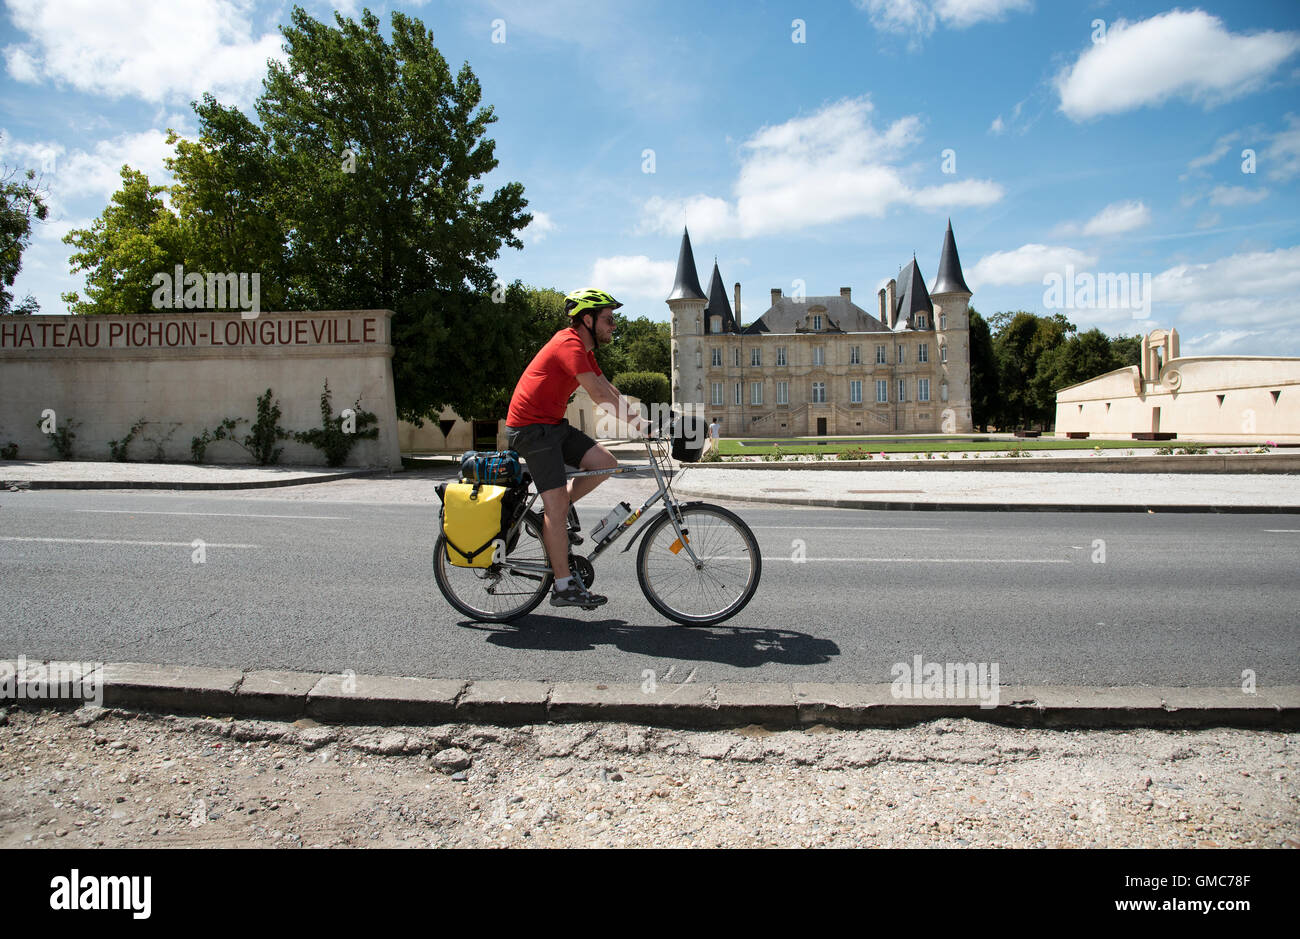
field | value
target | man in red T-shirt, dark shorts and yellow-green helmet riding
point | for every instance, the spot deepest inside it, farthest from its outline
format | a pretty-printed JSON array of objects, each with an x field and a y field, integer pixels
[{"x": 538, "y": 430}]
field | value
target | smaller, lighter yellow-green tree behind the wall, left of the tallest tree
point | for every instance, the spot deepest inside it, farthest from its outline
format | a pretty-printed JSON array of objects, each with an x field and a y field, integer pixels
[{"x": 136, "y": 239}]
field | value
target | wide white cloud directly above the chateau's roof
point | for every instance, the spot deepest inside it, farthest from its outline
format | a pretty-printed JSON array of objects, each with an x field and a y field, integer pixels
[{"x": 812, "y": 171}]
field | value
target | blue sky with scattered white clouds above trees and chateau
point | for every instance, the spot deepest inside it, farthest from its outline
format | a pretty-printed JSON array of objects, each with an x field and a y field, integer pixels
[{"x": 808, "y": 144}]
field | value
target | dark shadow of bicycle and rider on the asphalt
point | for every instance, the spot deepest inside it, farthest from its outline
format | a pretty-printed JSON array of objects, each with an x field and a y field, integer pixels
[{"x": 736, "y": 646}]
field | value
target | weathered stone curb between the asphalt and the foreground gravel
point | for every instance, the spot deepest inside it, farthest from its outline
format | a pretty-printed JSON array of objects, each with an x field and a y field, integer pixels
[{"x": 395, "y": 700}]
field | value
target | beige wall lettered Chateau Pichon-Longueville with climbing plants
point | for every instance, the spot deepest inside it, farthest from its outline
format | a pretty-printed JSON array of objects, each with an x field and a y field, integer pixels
[{"x": 184, "y": 374}]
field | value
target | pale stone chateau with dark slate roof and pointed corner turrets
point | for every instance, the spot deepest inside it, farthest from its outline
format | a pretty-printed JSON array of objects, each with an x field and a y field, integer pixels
[{"x": 824, "y": 365}]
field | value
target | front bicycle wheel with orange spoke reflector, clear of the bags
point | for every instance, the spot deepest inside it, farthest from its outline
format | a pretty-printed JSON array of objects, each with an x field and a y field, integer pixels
[{"x": 723, "y": 582}]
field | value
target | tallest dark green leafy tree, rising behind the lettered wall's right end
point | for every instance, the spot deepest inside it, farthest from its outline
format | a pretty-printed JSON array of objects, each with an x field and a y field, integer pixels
[{"x": 409, "y": 228}]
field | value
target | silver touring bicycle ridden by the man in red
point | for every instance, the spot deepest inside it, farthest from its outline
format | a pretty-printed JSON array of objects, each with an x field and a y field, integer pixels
[{"x": 699, "y": 564}]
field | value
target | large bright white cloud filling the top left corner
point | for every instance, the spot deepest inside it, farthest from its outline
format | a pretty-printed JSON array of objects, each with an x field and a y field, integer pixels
[{"x": 154, "y": 50}]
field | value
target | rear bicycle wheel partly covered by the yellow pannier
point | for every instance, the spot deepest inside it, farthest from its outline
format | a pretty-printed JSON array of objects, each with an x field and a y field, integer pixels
[{"x": 497, "y": 594}]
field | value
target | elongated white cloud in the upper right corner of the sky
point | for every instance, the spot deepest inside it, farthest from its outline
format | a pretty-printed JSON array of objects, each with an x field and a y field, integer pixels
[{"x": 1180, "y": 54}]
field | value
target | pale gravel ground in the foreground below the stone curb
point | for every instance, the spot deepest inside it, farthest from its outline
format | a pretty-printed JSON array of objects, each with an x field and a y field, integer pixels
[{"x": 120, "y": 780}]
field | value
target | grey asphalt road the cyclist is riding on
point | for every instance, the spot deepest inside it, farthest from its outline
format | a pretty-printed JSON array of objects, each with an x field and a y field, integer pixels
[{"x": 339, "y": 578}]
